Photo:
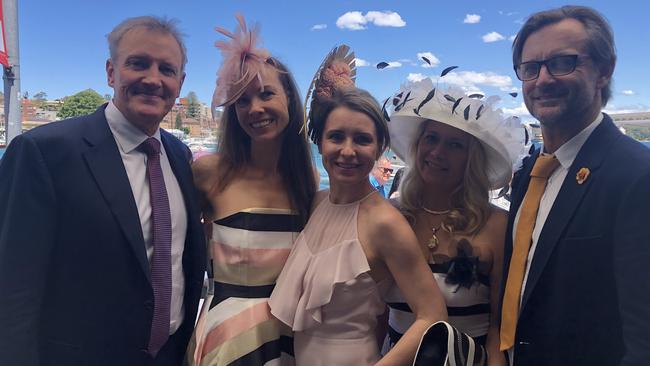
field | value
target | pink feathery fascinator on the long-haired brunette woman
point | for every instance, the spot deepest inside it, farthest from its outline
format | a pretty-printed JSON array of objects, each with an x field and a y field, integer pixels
[{"x": 242, "y": 62}]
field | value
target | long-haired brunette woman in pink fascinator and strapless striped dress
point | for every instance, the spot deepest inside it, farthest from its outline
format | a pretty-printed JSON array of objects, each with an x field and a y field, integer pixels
[{"x": 256, "y": 193}]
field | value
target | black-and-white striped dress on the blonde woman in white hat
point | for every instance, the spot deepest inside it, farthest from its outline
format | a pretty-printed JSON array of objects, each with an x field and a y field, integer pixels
[{"x": 468, "y": 308}]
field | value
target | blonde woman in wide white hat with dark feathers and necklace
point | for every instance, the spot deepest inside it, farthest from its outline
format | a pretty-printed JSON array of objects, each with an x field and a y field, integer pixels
[{"x": 454, "y": 161}]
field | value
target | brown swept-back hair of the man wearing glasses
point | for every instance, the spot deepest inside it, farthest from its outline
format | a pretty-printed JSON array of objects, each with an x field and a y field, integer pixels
[{"x": 600, "y": 38}]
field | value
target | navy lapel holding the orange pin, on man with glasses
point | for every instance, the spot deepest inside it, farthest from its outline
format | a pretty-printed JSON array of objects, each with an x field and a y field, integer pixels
[{"x": 568, "y": 199}]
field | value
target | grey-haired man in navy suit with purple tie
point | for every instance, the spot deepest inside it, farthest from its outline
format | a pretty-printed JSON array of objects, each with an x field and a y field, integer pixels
[{"x": 101, "y": 248}]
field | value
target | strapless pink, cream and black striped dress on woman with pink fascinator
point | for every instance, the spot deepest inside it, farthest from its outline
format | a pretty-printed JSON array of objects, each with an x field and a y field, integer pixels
[{"x": 235, "y": 327}]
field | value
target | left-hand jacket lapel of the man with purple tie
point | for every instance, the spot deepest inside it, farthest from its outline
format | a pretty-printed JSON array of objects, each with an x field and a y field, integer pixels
[{"x": 105, "y": 164}]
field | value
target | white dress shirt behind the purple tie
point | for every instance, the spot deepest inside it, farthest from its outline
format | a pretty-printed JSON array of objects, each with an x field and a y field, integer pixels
[{"x": 128, "y": 138}]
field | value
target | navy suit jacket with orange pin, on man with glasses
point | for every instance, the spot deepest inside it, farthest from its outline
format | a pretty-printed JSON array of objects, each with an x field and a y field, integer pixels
[{"x": 587, "y": 298}]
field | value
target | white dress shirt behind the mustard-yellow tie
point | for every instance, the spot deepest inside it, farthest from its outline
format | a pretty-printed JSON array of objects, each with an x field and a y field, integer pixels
[{"x": 566, "y": 154}]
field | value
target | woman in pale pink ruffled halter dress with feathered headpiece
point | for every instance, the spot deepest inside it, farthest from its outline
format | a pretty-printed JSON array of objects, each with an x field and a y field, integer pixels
[{"x": 354, "y": 246}]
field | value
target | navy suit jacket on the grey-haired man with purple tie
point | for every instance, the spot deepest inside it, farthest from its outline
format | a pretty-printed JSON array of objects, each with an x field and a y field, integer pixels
[{"x": 74, "y": 276}]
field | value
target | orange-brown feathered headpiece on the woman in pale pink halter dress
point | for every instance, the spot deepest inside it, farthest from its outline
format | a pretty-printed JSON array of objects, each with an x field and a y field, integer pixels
[{"x": 337, "y": 71}]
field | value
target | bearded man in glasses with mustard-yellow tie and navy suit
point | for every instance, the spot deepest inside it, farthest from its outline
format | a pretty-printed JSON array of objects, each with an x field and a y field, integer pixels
[{"x": 582, "y": 289}]
